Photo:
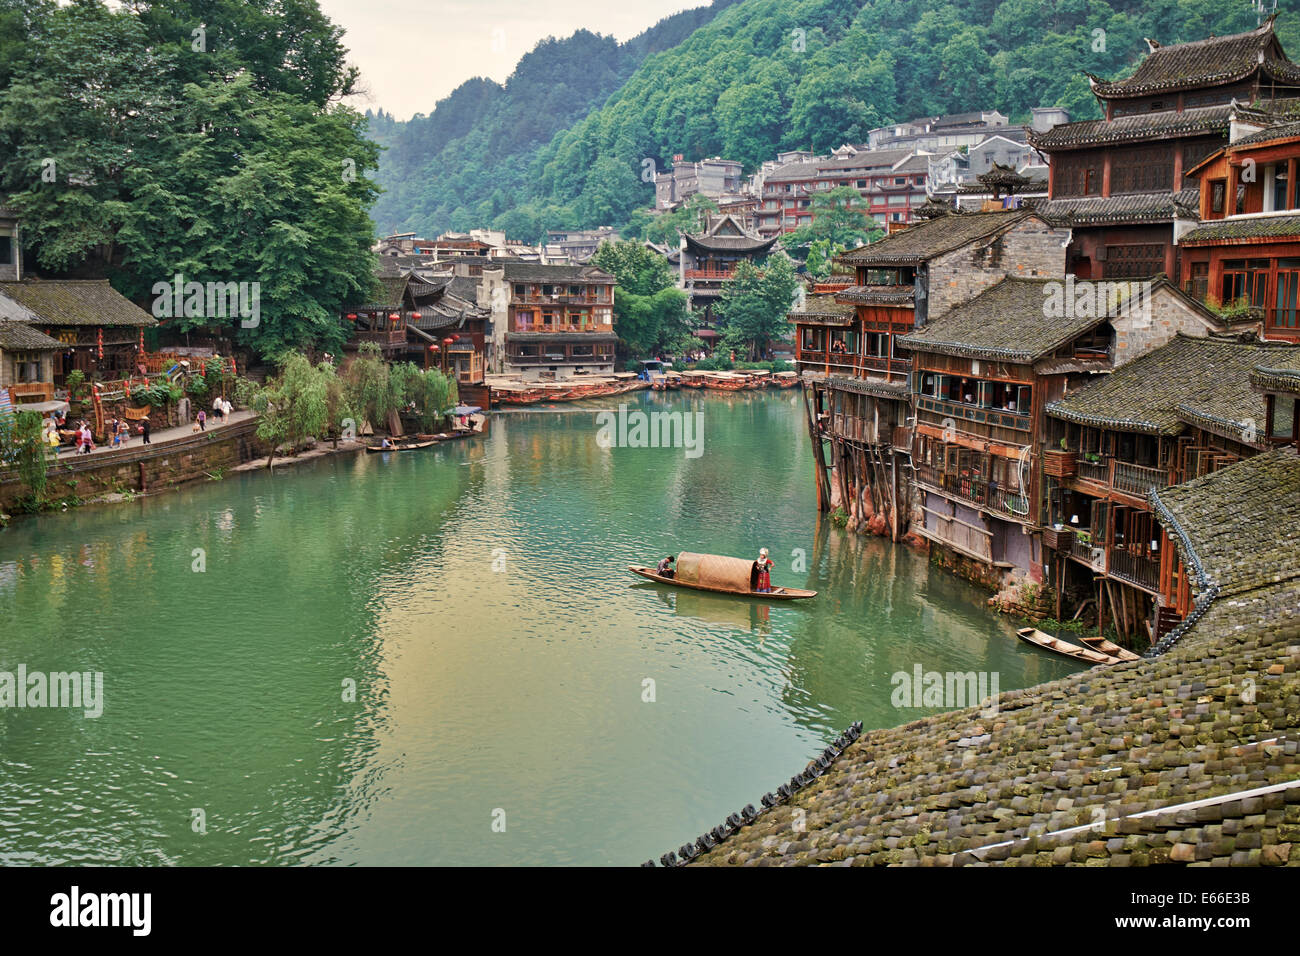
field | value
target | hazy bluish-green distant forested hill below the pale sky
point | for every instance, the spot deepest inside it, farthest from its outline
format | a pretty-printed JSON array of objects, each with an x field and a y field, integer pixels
[{"x": 466, "y": 165}]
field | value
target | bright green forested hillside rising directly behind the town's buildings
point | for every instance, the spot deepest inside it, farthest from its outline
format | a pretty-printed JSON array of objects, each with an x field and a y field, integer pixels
[{"x": 772, "y": 75}]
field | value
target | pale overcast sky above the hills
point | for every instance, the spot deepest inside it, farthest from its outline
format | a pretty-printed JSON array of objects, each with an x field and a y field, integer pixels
[{"x": 414, "y": 53}]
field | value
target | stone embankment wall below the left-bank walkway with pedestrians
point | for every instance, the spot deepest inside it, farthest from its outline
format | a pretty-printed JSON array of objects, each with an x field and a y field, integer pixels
[{"x": 144, "y": 468}]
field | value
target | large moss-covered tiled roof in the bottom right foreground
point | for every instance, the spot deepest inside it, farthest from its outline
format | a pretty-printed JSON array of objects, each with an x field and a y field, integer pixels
[{"x": 1090, "y": 771}]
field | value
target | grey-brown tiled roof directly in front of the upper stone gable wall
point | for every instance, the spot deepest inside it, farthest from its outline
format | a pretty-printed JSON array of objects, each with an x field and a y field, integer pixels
[{"x": 1007, "y": 323}]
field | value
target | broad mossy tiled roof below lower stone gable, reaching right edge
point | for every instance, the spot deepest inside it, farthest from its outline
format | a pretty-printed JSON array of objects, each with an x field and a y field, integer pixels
[{"x": 1190, "y": 378}]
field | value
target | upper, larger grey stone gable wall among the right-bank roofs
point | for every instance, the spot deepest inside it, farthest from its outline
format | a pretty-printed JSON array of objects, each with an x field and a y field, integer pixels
[{"x": 1030, "y": 249}]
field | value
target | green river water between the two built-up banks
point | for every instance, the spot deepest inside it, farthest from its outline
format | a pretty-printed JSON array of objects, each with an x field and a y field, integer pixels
[{"x": 478, "y": 596}]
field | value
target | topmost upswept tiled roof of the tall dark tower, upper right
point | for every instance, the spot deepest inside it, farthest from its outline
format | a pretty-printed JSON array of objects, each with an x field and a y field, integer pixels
[{"x": 1203, "y": 63}]
